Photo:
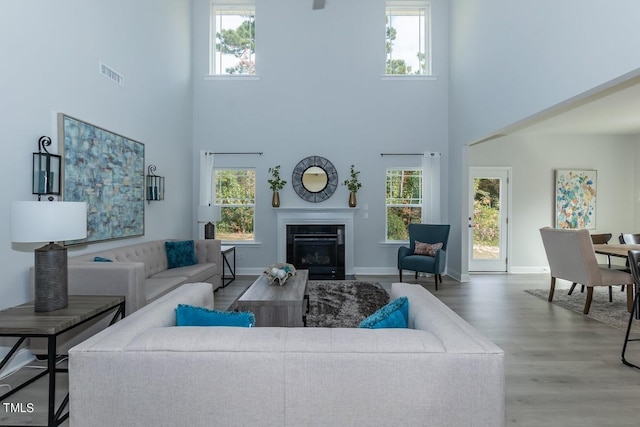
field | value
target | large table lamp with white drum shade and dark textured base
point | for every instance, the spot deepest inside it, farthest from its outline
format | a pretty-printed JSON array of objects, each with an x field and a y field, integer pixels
[{"x": 39, "y": 222}]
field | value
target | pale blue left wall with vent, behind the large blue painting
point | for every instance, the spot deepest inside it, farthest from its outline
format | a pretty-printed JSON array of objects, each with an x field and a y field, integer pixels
[{"x": 50, "y": 54}]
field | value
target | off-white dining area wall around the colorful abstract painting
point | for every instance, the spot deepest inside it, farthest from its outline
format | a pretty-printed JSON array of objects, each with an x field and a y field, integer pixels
[{"x": 534, "y": 159}]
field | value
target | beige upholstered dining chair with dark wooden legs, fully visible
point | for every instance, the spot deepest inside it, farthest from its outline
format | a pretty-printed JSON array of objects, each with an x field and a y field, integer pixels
[{"x": 571, "y": 257}]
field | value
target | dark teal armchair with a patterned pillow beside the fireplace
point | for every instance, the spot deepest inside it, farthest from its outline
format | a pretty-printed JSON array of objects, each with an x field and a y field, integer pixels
[{"x": 425, "y": 233}]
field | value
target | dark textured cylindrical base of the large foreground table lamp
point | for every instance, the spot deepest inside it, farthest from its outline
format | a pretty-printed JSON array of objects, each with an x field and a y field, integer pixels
[{"x": 50, "y": 278}]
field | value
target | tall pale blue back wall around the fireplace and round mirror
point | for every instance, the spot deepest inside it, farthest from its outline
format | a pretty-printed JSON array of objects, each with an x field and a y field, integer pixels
[{"x": 320, "y": 93}]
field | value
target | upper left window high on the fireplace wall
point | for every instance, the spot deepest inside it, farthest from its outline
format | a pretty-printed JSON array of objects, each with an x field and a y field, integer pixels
[{"x": 233, "y": 40}]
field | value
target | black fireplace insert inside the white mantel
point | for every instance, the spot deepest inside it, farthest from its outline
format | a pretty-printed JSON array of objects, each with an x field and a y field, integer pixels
[{"x": 319, "y": 248}]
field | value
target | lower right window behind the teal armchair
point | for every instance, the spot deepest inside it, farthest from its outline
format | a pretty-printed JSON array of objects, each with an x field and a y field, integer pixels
[{"x": 403, "y": 201}]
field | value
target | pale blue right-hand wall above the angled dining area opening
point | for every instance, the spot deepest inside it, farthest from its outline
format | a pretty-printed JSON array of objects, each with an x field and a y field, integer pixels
[{"x": 510, "y": 60}]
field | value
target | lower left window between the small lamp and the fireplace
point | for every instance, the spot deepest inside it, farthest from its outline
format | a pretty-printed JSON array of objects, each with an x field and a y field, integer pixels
[{"x": 235, "y": 191}]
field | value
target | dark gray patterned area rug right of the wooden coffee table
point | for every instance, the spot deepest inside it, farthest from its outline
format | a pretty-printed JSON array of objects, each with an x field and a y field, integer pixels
[{"x": 343, "y": 304}]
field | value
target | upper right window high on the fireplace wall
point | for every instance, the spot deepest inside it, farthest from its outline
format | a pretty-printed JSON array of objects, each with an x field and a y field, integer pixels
[{"x": 408, "y": 38}]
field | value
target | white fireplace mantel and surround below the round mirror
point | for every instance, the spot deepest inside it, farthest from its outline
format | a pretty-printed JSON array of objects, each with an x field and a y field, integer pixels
[{"x": 312, "y": 215}]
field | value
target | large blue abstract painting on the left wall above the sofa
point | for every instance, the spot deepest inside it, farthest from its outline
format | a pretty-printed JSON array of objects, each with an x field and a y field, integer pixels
[{"x": 106, "y": 170}]
